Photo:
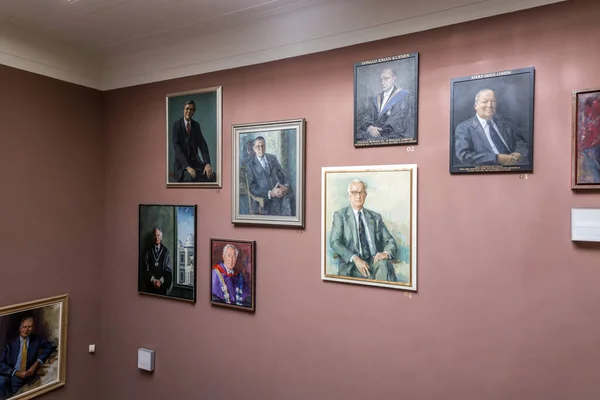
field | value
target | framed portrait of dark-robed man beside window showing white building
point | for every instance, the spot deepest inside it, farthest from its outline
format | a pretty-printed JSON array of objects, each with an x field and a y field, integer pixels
[{"x": 167, "y": 251}]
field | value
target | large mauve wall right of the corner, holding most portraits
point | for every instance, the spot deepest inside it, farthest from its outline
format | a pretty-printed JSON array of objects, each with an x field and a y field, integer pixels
[{"x": 507, "y": 305}]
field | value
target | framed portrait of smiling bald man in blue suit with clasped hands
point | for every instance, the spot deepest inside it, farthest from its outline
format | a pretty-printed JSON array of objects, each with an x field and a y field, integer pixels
[{"x": 491, "y": 122}]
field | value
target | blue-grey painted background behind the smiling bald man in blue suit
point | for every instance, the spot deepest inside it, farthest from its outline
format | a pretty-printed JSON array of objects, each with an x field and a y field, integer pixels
[{"x": 514, "y": 97}]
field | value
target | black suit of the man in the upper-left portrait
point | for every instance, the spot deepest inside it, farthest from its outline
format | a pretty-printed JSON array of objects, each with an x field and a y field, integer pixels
[{"x": 186, "y": 148}]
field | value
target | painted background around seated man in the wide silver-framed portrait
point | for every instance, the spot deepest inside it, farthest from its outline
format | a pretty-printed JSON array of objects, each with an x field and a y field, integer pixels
[{"x": 281, "y": 143}]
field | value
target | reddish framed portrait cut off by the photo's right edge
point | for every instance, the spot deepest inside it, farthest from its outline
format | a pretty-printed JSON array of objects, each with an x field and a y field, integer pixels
[{"x": 585, "y": 139}]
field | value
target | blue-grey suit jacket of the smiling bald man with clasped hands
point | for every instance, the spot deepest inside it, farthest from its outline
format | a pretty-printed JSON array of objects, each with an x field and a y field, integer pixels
[{"x": 471, "y": 147}]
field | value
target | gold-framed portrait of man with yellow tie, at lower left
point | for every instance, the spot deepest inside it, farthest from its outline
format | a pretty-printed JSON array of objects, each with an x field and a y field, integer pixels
[{"x": 33, "y": 338}]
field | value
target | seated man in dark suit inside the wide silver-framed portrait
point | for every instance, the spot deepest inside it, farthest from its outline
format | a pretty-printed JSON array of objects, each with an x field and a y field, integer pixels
[{"x": 268, "y": 181}]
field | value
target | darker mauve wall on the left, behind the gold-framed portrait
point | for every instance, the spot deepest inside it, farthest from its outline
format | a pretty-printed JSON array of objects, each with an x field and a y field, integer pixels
[{"x": 52, "y": 208}]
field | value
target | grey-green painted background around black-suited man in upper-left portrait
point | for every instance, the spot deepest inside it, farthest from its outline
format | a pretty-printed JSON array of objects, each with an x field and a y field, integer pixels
[{"x": 205, "y": 115}]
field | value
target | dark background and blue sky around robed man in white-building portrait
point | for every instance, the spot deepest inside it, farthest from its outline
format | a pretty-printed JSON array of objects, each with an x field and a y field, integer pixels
[{"x": 176, "y": 222}]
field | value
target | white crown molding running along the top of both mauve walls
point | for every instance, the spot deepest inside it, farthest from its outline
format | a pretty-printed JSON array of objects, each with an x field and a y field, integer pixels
[{"x": 333, "y": 24}]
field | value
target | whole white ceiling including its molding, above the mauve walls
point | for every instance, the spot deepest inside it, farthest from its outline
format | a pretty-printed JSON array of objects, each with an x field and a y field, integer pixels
[{"x": 108, "y": 44}]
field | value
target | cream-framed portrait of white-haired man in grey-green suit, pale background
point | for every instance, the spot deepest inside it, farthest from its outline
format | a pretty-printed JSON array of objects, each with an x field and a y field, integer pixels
[{"x": 369, "y": 225}]
